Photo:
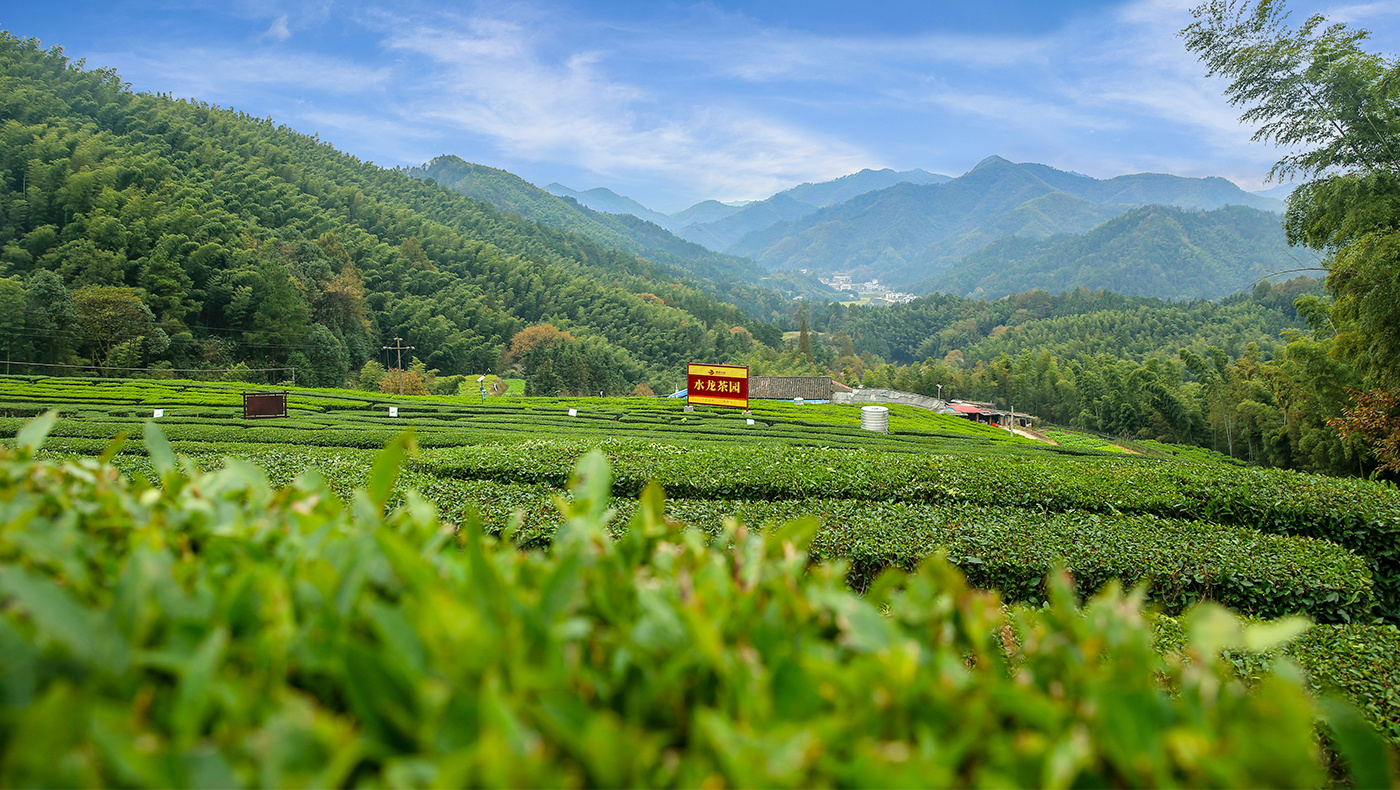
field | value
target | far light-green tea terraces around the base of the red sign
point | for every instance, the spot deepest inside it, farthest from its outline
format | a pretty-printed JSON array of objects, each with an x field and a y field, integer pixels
[{"x": 204, "y": 413}]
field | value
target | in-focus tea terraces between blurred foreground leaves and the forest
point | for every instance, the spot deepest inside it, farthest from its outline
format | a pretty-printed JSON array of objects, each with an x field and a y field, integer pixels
[{"x": 1004, "y": 509}]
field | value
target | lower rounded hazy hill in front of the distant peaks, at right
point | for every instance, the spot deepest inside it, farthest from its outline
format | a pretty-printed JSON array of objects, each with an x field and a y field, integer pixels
[{"x": 1154, "y": 251}]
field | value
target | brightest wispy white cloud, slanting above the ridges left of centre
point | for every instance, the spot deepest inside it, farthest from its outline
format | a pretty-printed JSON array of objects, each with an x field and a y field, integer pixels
[{"x": 496, "y": 79}]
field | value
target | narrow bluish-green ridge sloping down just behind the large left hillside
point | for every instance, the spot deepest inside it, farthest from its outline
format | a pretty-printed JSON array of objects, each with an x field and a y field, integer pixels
[{"x": 722, "y": 275}]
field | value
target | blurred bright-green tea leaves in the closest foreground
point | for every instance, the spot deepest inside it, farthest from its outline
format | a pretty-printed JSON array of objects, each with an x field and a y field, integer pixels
[{"x": 215, "y": 631}]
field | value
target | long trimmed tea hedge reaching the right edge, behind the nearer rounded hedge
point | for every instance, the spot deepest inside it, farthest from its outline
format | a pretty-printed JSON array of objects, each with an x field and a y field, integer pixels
[{"x": 1356, "y": 515}]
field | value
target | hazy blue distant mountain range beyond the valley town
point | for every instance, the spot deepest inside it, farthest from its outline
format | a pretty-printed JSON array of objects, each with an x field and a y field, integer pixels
[{"x": 999, "y": 229}]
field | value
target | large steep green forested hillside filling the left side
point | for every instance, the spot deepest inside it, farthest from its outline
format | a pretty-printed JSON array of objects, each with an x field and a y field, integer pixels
[{"x": 139, "y": 230}]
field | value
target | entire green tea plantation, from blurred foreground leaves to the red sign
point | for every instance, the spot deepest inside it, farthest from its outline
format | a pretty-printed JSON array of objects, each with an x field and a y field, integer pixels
[{"x": 258, "y": 632}]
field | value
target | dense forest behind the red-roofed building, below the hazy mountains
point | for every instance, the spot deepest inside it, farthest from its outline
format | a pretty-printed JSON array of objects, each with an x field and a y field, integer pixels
[{"x": 1254, "y": 376}]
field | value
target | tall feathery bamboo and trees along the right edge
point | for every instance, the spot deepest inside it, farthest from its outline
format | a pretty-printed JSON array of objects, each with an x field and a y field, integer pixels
[{"x": 1335, "y": 109}]
